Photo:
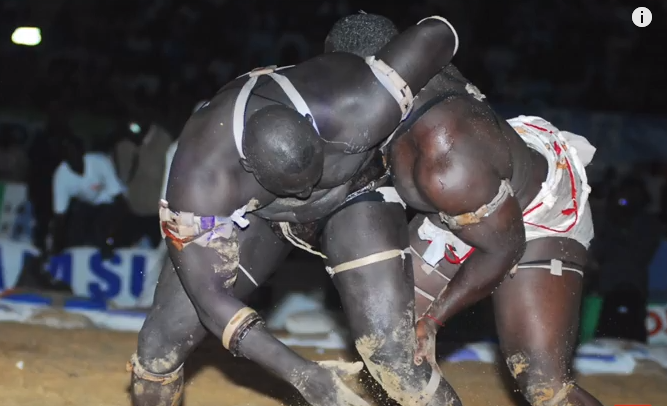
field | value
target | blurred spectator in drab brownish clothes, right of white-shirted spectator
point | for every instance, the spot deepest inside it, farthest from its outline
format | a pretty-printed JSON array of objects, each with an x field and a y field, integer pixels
[{"x": 140, "y": 160}]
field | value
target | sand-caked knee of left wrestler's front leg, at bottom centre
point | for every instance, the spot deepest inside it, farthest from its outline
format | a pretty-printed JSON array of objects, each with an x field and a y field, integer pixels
[{"x": 389, "y": 360}]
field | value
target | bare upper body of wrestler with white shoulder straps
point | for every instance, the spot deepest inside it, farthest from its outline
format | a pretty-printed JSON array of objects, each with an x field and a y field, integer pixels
[{"x": 351, "y": 110}]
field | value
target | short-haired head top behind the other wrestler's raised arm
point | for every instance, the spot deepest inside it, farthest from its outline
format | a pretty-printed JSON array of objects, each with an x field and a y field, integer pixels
[{"x": 360, "y": 34}]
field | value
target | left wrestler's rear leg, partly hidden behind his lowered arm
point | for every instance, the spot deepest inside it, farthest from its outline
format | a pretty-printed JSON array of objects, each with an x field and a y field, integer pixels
[{"x": 173, "y": 330}]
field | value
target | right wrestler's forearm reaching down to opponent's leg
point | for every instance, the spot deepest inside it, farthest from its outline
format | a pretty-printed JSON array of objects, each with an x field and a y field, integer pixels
[{"x": 477, "y": 278}]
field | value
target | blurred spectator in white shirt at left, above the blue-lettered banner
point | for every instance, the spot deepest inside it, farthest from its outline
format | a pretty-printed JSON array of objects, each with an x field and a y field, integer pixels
[{"x": 87, "y": 189}]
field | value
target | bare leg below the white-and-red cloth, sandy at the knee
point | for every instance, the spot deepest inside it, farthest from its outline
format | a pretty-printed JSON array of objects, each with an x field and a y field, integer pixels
[{"x": 537, "y": 316}]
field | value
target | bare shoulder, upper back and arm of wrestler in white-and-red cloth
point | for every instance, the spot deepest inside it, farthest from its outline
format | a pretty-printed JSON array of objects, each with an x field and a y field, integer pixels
[{"x": 452, "y": 161}]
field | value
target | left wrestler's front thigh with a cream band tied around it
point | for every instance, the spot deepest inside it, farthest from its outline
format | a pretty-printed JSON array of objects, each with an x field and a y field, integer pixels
[{"x": 376, "y": 295}]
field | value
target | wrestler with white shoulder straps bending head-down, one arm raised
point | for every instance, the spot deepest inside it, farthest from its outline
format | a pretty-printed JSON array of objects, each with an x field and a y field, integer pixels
[{"x": 274, "y": 159}]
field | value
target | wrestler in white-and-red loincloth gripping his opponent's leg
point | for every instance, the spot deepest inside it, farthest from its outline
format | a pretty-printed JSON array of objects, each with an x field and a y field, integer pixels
[{"x": 515, "y": 191}]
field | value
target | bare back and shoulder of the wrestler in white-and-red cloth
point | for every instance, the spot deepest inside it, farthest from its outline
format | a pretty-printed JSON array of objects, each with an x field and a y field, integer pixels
[{"x": 452, "y": 126}]
